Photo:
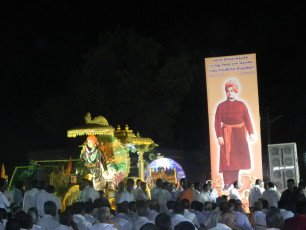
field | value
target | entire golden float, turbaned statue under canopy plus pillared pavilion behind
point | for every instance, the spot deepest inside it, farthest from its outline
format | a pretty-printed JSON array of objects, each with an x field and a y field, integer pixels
[{"x": 110, "y": 145}]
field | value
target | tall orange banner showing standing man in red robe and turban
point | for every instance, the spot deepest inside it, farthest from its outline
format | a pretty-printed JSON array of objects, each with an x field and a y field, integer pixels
[{"x": 234, "y": 122}]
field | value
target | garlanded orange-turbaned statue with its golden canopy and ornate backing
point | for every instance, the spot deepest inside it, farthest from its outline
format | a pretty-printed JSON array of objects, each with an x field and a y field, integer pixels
[{"x": 101, "y": 146}]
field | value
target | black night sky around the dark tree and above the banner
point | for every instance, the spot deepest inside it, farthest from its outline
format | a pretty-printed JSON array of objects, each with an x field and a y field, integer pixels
[{"x": 42, "y": 42}]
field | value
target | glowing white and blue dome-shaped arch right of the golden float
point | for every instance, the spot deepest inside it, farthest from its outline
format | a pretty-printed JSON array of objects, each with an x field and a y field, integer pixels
[{"x": 166, "y": 163}]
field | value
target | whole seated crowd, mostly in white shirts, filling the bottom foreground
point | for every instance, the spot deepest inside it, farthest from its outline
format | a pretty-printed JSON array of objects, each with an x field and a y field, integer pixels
[{"x": 165, "y": 207}]
